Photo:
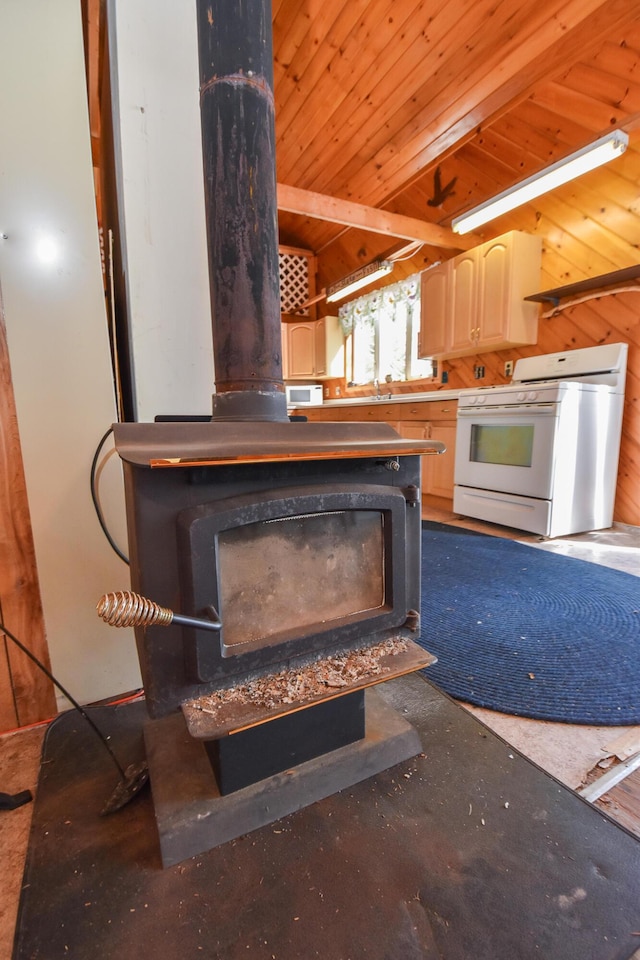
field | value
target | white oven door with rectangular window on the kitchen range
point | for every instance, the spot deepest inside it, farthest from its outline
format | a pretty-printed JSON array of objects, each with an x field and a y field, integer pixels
[{"x": 507, "y": 448}]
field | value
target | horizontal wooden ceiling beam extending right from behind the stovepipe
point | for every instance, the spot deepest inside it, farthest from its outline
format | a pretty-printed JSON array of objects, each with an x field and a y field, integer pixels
[{"x": 321, "y": 207}]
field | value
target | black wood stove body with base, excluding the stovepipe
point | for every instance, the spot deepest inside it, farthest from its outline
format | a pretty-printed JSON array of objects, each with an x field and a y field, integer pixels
[{"x": 304, "y": 538}]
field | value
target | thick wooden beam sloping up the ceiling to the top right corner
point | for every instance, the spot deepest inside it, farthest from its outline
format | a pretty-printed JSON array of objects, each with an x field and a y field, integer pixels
[{"x": 499, "y": 92}]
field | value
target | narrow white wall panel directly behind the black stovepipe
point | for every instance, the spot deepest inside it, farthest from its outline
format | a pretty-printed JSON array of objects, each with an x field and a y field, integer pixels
[{"x": 154, "y": 68}]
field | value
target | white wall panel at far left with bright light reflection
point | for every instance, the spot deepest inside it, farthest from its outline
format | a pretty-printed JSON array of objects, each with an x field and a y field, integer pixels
[{"x": 58, "y": 343}]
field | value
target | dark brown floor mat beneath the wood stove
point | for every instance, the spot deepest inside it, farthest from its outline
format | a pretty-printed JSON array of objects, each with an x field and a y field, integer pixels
[{"x": 467, "y": 850}]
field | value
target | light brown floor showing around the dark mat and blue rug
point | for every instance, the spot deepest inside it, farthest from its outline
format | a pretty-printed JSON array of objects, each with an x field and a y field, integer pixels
[{"x": 566, "y": 752}]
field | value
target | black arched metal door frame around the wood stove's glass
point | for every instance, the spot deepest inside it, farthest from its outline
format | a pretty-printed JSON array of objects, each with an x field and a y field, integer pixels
[{"x": 207, "y": 659}]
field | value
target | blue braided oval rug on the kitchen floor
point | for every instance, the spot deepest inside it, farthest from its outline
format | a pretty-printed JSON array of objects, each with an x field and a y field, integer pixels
[{"x": 528, "y": 632}]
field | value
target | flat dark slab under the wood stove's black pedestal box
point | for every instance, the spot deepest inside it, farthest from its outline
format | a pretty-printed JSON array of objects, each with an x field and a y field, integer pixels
[{"x": 193, "y": 817}]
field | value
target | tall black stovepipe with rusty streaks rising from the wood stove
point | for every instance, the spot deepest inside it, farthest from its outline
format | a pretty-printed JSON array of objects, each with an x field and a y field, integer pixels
[{"x": 238, "y": 140}]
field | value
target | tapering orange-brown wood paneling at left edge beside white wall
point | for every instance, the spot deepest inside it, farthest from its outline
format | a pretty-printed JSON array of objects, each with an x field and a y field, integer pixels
[{"x": 27, "y": 695}]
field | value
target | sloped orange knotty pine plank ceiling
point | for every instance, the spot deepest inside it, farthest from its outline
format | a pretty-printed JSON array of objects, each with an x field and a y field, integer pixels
[{"x": 374, "y": 96}]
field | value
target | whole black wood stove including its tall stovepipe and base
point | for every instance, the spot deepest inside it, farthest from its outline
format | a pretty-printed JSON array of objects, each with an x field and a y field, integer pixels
[{"x": 298, "y": 542}]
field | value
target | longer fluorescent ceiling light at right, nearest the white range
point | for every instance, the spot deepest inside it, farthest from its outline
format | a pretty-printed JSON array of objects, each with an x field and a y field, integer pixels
[{"x": 588, "y": 158}]
